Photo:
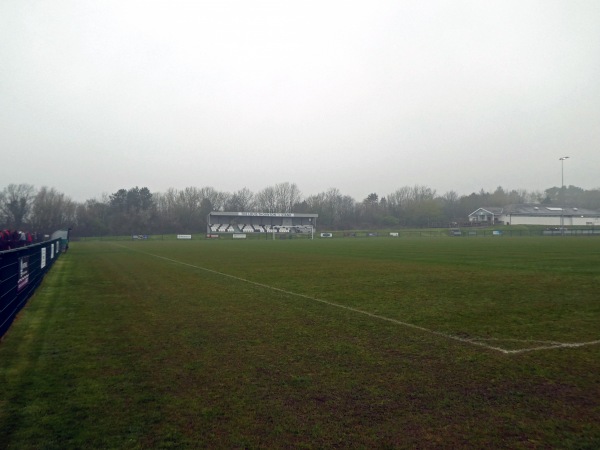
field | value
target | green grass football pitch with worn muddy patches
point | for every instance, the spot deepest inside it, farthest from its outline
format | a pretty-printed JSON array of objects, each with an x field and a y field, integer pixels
[{"x": 361, "y": 343}]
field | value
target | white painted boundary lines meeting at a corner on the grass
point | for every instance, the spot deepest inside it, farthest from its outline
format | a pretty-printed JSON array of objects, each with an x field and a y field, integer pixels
[{"x": 480, "y": 342}]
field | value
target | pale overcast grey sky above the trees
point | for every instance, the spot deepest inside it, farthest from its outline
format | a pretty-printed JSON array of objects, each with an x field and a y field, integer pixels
[{"x": 363, "y": 96}]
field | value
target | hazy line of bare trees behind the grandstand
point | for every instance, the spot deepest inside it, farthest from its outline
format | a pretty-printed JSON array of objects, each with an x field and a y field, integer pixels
[{"x": 139, "y": 211}]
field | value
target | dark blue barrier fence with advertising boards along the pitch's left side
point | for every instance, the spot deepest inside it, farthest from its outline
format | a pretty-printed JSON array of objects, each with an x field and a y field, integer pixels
[{"x": 21, "y": 272}]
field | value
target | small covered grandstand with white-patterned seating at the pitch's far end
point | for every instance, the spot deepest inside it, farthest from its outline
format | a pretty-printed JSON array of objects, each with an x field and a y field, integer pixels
[{"x": 257, "y": 222}]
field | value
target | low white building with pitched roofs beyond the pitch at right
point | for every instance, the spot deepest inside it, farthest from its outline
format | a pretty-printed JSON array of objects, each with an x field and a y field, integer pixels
[{"x": 535, "y": 214}]
